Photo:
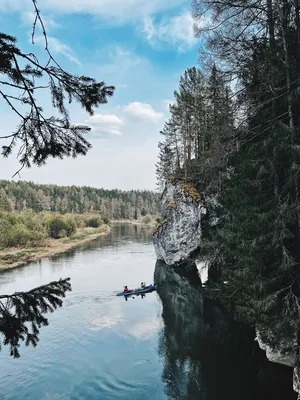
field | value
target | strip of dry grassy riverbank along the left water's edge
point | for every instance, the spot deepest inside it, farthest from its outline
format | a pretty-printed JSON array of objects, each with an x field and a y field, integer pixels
[{"x": 16, "y": 257}]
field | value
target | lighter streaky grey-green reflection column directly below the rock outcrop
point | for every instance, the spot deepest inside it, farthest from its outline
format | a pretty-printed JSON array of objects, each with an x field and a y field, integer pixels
[{"x": 183, "y": 326}]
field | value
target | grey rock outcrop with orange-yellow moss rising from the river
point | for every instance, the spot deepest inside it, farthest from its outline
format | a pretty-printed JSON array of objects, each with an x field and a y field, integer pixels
[{"x": 179, "y": 234}]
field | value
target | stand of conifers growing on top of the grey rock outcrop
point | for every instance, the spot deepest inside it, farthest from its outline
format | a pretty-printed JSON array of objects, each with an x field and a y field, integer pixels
[{"x": 198, "y": 135}]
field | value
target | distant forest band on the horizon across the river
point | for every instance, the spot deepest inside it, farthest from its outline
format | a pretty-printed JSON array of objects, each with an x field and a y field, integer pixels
[{"x": 111, "y": 204}]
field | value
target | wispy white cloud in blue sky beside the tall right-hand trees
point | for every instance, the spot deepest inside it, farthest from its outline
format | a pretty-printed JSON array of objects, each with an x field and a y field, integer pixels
[{"x": 176, "y": 31}]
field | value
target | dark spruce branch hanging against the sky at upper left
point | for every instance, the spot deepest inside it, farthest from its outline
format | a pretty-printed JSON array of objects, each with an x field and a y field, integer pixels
[{"x": 39, "y": 136}]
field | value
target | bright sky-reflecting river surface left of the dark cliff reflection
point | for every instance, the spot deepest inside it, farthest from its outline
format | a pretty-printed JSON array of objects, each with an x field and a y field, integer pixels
[{"x": 98, "y": 346}]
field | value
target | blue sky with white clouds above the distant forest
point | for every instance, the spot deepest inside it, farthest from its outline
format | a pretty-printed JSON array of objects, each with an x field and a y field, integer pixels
[{"x": 139, "y": 46}]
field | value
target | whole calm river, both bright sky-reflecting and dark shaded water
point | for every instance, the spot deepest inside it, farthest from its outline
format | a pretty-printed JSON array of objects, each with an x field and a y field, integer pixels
[{"x": 101, "y": 347}]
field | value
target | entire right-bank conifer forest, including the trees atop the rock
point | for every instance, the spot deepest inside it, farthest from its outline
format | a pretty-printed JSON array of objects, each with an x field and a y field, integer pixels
[{"x": 234, "y": 133}]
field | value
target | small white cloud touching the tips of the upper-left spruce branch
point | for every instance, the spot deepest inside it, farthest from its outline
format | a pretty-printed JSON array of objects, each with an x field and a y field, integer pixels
[{"x": 106, "y": 124}]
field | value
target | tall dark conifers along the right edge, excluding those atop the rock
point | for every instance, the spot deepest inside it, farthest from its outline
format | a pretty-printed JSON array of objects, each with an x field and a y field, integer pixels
[{"x": 258, "y": 238}]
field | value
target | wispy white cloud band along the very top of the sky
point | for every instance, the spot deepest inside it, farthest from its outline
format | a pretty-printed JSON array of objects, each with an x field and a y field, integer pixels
[{"x": 112, "y": 10}]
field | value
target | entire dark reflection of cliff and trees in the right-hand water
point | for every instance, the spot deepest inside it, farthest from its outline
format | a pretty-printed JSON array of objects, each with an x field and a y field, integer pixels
[{"x": 206, "y": 355}]
